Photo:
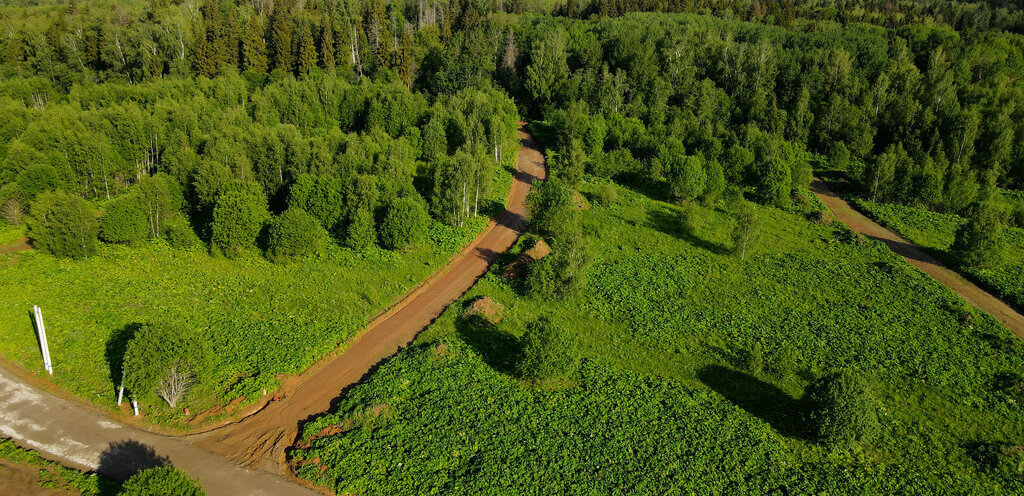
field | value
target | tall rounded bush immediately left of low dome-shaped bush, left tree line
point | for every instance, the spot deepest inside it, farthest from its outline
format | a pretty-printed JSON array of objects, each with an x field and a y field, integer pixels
[{"x": 238, "y": 220}]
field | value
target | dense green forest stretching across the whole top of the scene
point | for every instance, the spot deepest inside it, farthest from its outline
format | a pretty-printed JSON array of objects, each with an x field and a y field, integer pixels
[{"x": 921, "y": 112}]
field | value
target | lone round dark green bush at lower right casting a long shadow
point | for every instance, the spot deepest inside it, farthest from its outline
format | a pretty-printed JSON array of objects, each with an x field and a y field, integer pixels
[{"x": 844, "y": 409}]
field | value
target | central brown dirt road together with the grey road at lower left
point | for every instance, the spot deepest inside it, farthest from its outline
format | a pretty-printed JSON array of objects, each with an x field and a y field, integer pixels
[{"x": 81, "y": 438}]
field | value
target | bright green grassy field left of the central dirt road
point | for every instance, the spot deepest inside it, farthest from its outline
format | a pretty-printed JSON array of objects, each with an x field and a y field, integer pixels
[{"x": 263, "y": 319}]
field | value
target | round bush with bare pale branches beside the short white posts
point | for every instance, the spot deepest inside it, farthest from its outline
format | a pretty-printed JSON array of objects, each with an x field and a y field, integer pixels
[{"x": 166, "y": 362}]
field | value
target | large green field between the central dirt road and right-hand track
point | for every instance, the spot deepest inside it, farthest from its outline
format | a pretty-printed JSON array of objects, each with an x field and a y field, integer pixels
[{"x": 695, "y": 369}]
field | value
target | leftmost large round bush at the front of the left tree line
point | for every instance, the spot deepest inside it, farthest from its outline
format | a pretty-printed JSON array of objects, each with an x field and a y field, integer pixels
[{"x": 64, "y": 225}]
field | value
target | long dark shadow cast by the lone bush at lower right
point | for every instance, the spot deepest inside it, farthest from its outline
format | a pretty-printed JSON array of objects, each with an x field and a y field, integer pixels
[{"x": 786, "y": 415}]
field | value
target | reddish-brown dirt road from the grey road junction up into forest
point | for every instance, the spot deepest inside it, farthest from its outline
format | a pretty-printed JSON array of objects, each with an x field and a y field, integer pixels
[{"x": 261, "y": 440}]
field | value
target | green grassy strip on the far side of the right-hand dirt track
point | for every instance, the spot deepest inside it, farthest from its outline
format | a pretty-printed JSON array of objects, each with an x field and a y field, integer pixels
[{"x": 936, "y": 231}]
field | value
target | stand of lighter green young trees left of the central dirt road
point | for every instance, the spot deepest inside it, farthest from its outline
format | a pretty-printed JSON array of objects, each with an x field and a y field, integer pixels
[{"x": 362, "y": 163}]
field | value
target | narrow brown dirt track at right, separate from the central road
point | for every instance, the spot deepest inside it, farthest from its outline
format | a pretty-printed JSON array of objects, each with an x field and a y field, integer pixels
[{"x": 919, "y": 259}]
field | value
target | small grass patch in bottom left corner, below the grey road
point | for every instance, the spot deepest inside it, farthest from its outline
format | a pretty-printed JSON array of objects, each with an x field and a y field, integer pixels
[{"x": 55, "y": 476}]
